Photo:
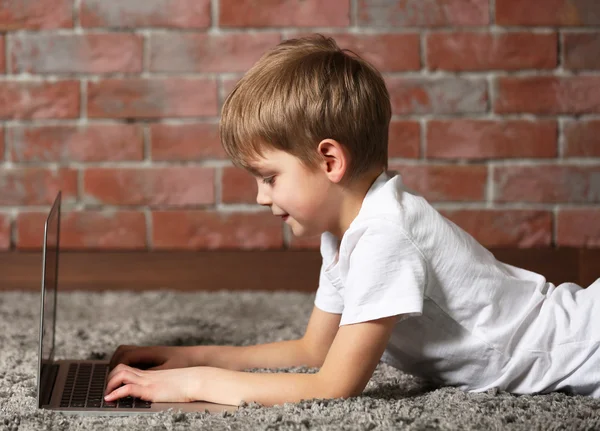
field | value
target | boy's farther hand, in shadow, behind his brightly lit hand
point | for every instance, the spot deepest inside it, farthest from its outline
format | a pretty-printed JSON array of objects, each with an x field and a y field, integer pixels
[{"x": 156, "y": 357}]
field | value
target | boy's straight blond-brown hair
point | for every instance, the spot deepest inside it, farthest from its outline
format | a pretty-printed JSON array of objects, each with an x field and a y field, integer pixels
[{"x": 303, "y": 91}]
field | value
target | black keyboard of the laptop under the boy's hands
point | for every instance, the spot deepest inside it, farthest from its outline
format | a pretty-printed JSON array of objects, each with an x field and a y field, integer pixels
[{"x": 85, "y": 388}]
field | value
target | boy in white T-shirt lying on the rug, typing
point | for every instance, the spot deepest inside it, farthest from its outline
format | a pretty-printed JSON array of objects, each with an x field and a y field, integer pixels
[{"x": 398, "y": 283}]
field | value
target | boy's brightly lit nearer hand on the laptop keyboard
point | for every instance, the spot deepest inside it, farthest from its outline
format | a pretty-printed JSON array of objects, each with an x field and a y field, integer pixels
[{"x": 156, "y": 386}]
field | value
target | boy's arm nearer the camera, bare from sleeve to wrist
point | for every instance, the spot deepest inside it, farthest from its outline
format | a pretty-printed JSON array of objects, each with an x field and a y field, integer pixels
[{"x": 349, "y": 364}]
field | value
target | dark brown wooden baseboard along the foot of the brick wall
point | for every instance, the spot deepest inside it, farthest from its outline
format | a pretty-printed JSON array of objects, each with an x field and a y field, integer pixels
[{"x": 292, "y": 270}]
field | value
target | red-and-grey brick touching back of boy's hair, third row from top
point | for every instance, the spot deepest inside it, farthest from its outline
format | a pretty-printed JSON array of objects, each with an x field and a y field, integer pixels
[{"x": 437, "y": 95}]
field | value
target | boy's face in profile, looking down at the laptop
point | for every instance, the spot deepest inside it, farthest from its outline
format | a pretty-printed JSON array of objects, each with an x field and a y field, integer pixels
[{"x": 300, "y": 196}]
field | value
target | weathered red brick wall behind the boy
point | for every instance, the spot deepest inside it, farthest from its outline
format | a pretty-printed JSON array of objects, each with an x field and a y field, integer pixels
[{"x": 496, "y": 115}]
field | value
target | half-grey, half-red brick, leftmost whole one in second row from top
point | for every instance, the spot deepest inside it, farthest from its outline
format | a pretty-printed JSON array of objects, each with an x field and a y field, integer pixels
[{"x": 77, "y": 53}]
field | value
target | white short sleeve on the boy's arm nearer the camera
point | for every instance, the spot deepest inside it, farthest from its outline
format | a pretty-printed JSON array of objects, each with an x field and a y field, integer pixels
[{"x": 386, "y": 276}]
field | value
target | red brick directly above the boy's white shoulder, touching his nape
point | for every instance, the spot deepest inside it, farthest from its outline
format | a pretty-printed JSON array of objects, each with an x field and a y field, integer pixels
[{"x": 444, "y": 182}]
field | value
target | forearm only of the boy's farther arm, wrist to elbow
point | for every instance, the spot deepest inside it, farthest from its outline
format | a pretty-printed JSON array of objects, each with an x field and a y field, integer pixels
[{"x": 279, "y": 354}]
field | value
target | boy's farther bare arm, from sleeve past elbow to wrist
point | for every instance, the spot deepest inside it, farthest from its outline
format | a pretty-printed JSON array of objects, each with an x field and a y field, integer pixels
[{"x": 310, "y": 350}]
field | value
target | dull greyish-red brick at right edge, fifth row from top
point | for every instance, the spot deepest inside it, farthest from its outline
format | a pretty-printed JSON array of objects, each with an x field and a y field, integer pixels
[{"x": 547, "y": 184}]
